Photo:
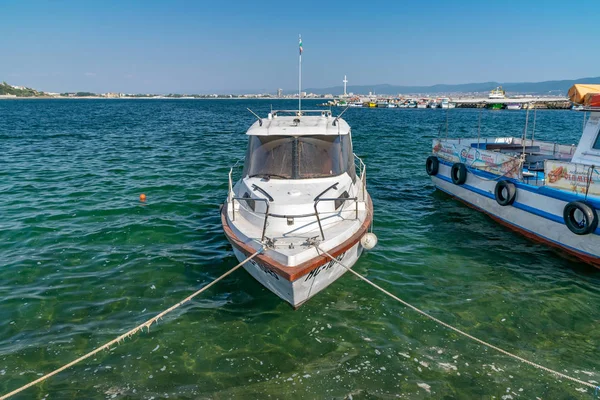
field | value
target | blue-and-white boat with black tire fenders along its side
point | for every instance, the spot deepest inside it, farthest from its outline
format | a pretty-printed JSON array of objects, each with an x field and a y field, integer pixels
[{"x": 546, "y": 191}]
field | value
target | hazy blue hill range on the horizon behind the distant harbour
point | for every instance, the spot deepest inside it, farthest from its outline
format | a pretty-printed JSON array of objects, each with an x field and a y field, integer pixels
[{"x": 546, "y": 87}]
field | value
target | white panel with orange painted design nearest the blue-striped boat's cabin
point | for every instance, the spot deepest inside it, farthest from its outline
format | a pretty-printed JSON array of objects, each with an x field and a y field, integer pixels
[{"x": 576, "y": 178}]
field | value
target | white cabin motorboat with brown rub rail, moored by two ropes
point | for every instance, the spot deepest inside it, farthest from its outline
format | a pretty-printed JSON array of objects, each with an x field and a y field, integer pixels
[{"x": 301, "y": 187}]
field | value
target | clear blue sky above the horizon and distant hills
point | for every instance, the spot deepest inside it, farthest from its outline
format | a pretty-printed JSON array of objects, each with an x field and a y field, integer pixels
[{"x": 220, "y": 46}]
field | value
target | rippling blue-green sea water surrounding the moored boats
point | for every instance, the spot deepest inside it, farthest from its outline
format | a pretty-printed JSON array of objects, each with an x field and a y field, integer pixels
[{"x": 82, "y": 261}]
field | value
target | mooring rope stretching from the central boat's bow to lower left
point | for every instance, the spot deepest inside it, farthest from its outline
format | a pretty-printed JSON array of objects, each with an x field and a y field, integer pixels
[{"x": 130, "y": 333}]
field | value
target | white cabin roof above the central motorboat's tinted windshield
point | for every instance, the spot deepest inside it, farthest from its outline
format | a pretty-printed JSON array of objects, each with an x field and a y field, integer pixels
[{"x": 294, "y": 125}]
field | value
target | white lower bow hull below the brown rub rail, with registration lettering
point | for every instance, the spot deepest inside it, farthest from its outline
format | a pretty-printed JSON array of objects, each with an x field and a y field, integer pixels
[{"x": 302, "y": 289}]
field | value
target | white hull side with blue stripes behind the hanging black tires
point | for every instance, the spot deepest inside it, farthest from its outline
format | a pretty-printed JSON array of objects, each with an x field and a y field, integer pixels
[{"x": 534, "y": 214}]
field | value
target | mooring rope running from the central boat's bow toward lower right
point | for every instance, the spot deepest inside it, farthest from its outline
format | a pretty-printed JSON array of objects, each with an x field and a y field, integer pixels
[{"x": 560, "y": 374}]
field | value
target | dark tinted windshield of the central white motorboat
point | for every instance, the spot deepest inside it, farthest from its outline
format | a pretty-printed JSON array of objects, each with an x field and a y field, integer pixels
[{"x": 302, "y": 157}]
